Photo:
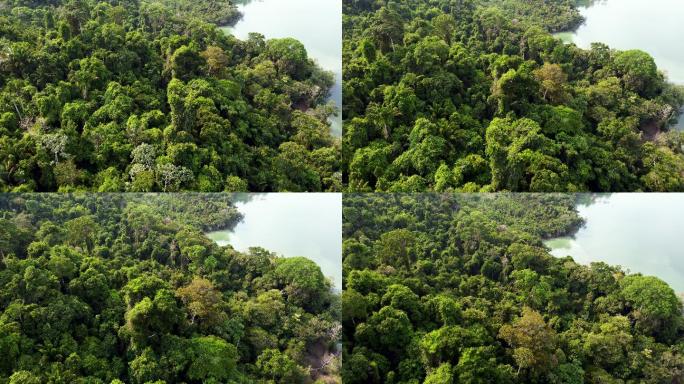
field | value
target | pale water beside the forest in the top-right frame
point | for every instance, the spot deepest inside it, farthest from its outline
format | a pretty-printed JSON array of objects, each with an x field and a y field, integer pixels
[{"x": 654, "y": 26}]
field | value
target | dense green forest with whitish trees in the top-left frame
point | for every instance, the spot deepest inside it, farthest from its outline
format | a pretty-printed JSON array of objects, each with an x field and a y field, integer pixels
[{"x": 151, "y": 95}]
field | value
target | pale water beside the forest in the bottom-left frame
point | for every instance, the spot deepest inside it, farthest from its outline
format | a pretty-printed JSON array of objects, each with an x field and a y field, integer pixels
[{"x": 291, "y": 224}]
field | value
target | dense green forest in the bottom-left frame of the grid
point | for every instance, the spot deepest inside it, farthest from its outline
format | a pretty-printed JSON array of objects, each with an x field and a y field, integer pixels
[{"x": 125, "y": 288}]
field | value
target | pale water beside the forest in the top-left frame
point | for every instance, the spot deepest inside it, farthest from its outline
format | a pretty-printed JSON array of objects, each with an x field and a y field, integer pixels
[{"x": 316, "y": 23}]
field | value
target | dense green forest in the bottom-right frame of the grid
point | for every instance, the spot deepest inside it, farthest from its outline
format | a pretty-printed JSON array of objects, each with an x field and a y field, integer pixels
[{"x": 446, "y": 289}]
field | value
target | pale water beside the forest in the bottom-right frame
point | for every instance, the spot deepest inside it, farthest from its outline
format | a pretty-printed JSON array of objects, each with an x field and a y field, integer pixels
[{"x": 640, "y": 231}]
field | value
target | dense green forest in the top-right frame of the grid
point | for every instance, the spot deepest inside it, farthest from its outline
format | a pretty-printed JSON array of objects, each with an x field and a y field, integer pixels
[{"x": 478, "y": 95}]
